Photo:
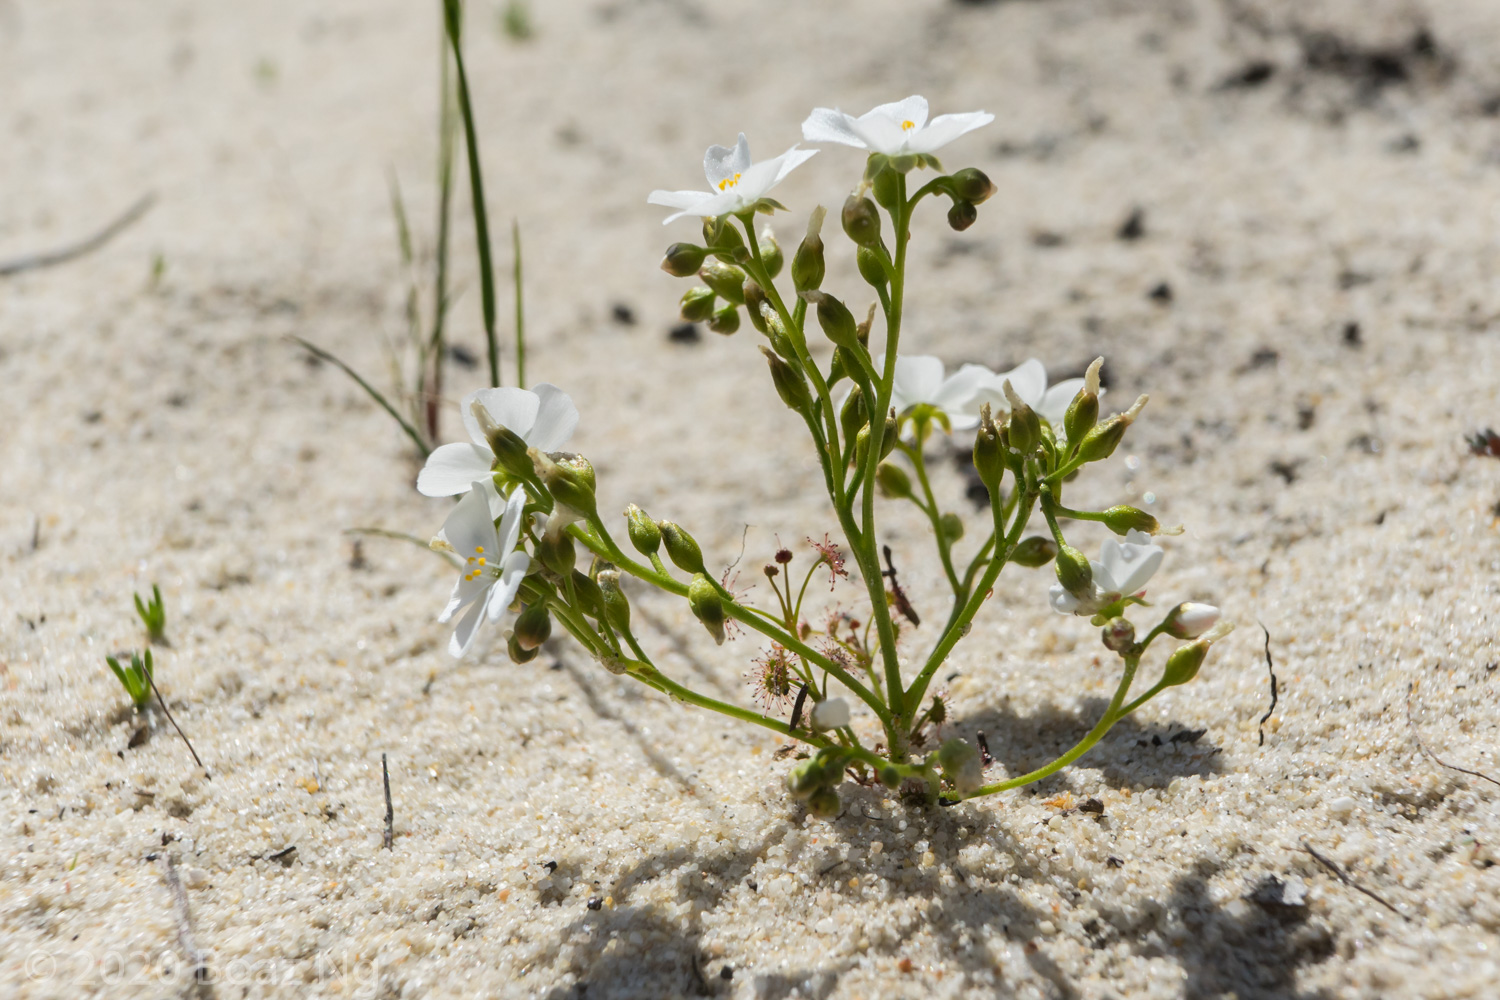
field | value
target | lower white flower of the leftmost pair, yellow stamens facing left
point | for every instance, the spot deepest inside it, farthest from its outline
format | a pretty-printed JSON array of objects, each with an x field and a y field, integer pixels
[{"x": 491, "y": 569}]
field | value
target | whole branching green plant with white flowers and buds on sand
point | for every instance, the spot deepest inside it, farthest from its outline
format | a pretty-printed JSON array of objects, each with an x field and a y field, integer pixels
[{"x": 538, "y": 551}]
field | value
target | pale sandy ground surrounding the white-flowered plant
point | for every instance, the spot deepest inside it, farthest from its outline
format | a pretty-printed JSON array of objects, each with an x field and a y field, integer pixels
[{"x": 172, "y": 436}]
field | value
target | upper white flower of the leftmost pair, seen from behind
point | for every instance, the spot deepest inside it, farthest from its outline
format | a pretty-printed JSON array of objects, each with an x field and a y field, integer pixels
[{"x": 544, "y": 418}]
